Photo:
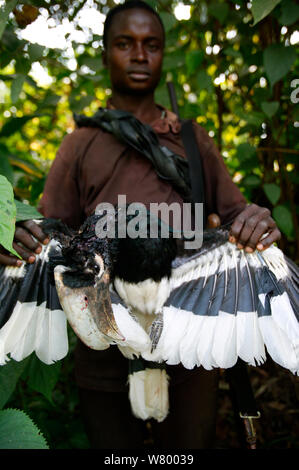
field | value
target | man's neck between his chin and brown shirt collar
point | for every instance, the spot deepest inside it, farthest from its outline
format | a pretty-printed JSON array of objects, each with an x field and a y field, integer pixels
[{"x": 142, "y": 107}]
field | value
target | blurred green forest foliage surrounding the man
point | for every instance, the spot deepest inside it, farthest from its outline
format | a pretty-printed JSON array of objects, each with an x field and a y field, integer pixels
[{"x": 235, "y": 70}]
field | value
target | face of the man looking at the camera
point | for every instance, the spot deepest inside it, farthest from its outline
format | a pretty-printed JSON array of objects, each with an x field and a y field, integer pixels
[{"x": 134, "y": 52}]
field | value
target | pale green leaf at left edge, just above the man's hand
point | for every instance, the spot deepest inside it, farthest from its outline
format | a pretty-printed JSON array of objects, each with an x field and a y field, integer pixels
[{"x": 7, "y": 215}]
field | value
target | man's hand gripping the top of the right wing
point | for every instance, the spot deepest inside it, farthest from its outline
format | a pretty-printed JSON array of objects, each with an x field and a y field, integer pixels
[{"x": 250, "y": 226}]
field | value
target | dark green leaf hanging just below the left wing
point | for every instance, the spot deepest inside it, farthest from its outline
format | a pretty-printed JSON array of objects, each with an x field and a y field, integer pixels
[{"x": 43, "y": 377}]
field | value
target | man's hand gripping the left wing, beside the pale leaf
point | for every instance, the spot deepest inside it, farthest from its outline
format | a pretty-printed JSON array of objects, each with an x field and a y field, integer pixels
[{"x": 24, "y": 244}]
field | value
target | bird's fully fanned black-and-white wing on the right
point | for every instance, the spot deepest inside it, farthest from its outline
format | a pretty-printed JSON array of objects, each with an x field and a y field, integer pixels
[{"x": 225, "y": 304}]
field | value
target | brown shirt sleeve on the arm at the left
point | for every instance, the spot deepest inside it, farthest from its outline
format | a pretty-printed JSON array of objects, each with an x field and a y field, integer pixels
[{"x": 61, "y": 198}]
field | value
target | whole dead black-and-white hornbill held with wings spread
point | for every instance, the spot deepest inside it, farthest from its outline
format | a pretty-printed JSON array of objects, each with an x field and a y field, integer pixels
[{"x": 155, "y": 300}]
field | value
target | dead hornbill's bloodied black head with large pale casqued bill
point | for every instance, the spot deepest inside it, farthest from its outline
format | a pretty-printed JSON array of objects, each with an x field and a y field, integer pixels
[{"x": 82, "y": 278}]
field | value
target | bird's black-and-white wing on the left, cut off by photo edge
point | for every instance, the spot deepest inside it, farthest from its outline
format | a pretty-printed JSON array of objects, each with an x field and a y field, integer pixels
[{"x": 31, "y": 318}]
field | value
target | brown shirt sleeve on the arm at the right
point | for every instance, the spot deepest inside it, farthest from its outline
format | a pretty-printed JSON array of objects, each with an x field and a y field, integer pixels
[{"x": 222, "y": 195}]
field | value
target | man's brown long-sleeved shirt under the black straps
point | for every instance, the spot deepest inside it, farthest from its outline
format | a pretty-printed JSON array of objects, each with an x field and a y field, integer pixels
[{"x": 91, "y": 166}]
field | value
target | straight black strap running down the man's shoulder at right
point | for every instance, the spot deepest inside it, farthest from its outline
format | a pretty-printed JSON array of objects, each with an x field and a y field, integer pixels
[{"x": 195, "y": 163}]
